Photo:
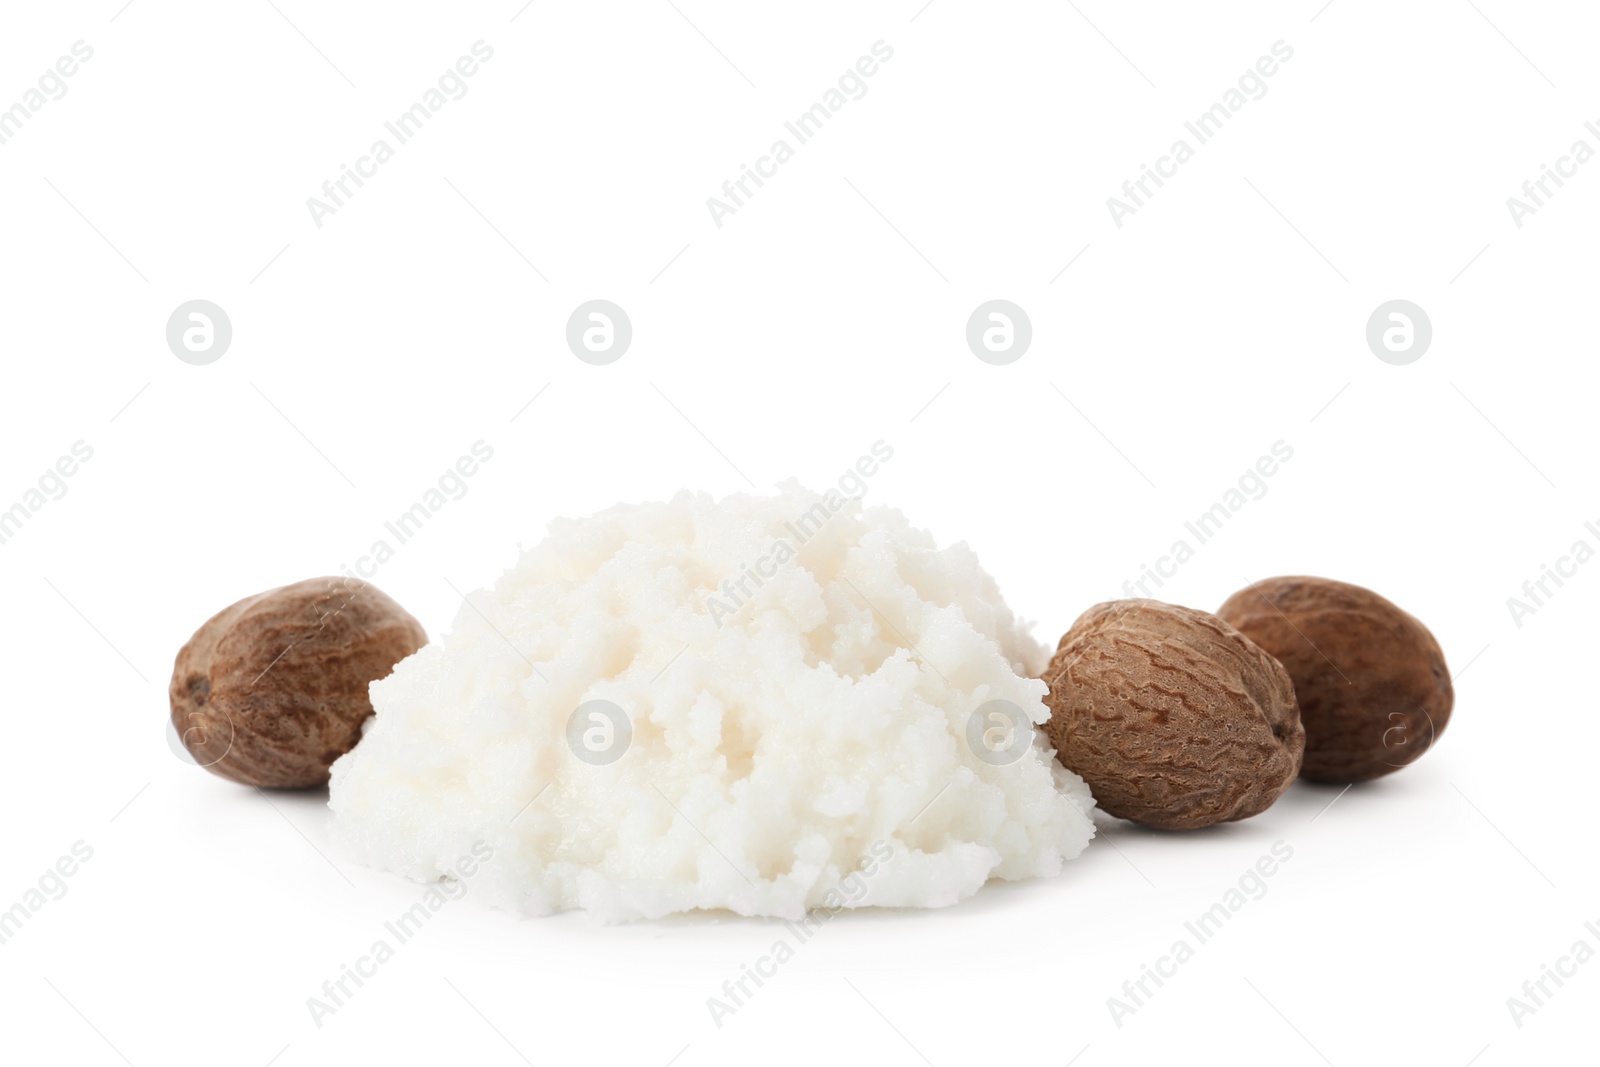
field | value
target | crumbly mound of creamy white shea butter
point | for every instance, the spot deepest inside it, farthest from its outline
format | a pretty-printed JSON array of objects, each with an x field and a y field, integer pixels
[{"x": 761, "y": 705}]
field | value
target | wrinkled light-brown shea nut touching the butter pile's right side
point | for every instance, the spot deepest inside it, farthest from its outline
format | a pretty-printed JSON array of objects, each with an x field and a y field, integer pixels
[{"x": 1174, "y": 717}]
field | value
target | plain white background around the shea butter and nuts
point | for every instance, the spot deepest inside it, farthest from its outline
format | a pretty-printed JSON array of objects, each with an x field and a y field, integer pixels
[{"x": 828, "y": 314}]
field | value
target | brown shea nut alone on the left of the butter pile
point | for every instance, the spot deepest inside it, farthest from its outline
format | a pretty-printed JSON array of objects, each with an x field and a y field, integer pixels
[{"x": 273, "y": 690}]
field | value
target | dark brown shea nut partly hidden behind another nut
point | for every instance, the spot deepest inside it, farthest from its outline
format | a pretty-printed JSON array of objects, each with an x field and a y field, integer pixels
[{"x": 1372, "y": 682}]
